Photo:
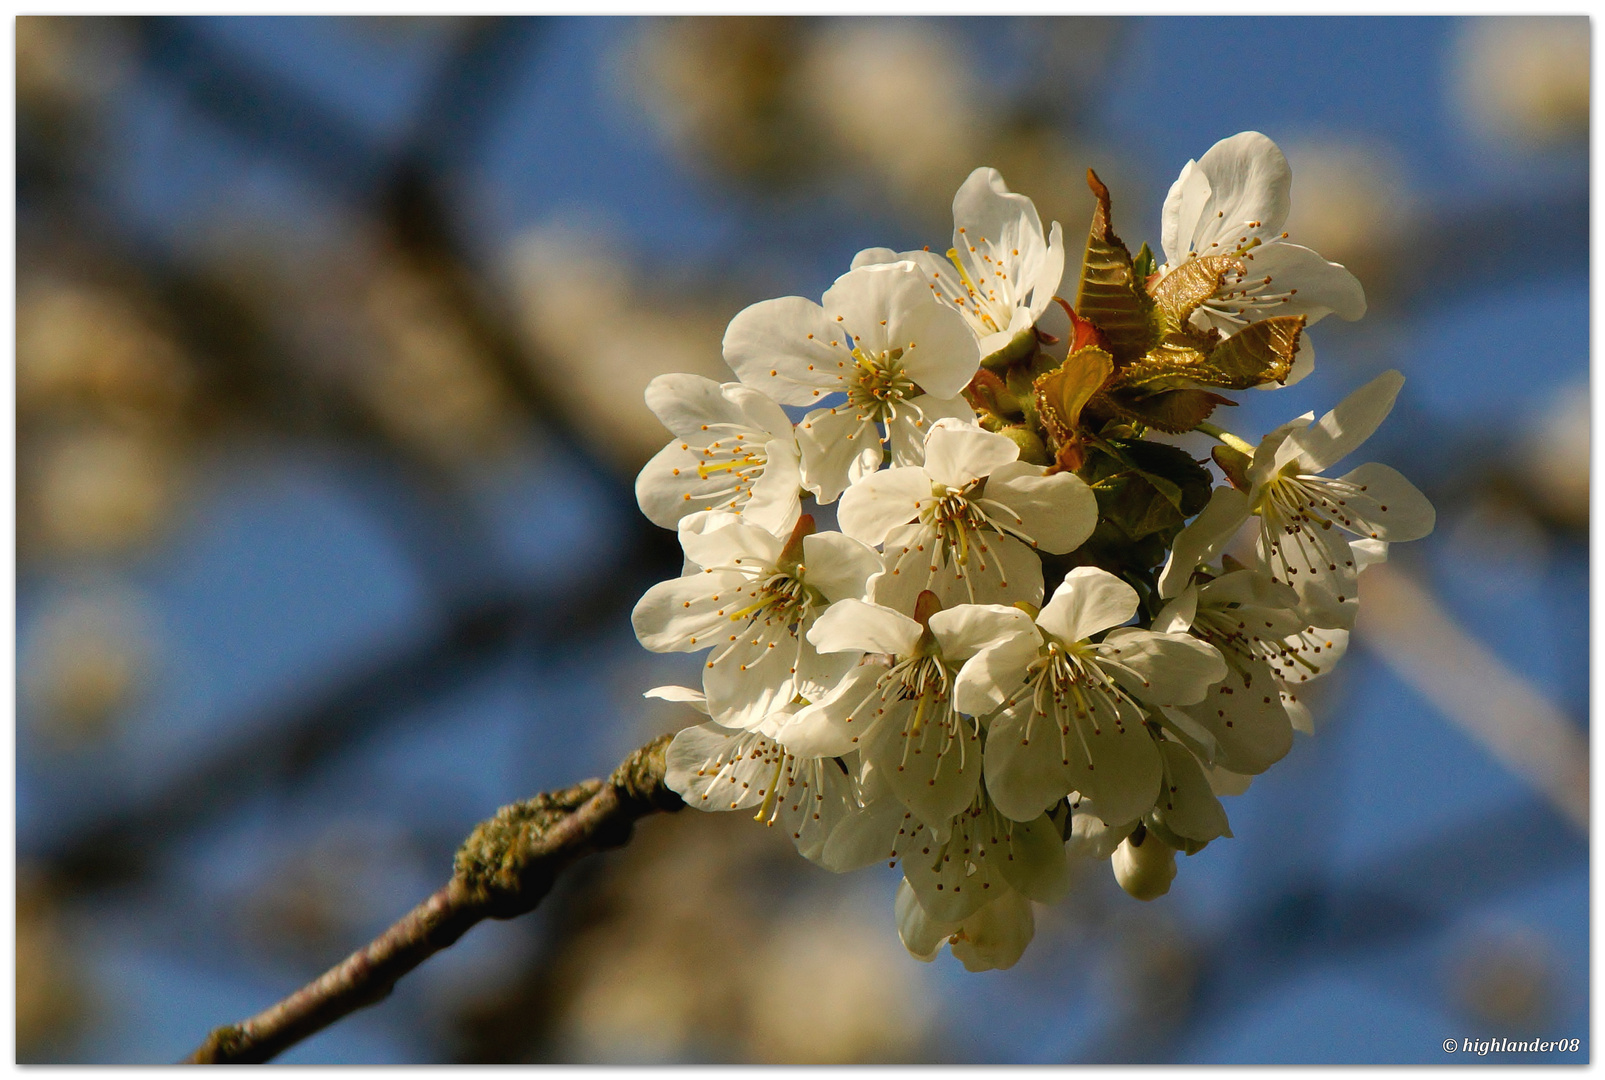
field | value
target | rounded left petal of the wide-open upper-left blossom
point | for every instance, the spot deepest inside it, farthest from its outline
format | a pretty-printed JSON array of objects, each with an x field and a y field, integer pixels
[{"x": 789, "y": 349}]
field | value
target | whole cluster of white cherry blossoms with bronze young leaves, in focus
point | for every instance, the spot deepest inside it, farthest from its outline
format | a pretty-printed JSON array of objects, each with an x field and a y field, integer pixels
[{"x": 1026, "y": 641}]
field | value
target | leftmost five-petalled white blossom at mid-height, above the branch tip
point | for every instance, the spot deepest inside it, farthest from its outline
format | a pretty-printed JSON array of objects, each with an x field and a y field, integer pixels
[{"x": 752, "y": 599}]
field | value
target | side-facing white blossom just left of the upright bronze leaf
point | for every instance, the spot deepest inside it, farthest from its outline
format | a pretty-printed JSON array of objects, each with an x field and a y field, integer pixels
[{"x": 1001, "y": 274}]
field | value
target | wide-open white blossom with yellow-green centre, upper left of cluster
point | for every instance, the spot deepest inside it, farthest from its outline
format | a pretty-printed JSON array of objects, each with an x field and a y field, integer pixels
[{"x": 900, "y": 357}]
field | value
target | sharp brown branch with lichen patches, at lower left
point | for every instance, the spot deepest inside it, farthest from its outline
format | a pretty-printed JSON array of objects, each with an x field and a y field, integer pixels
[{"x": 503, "y": 871}]
